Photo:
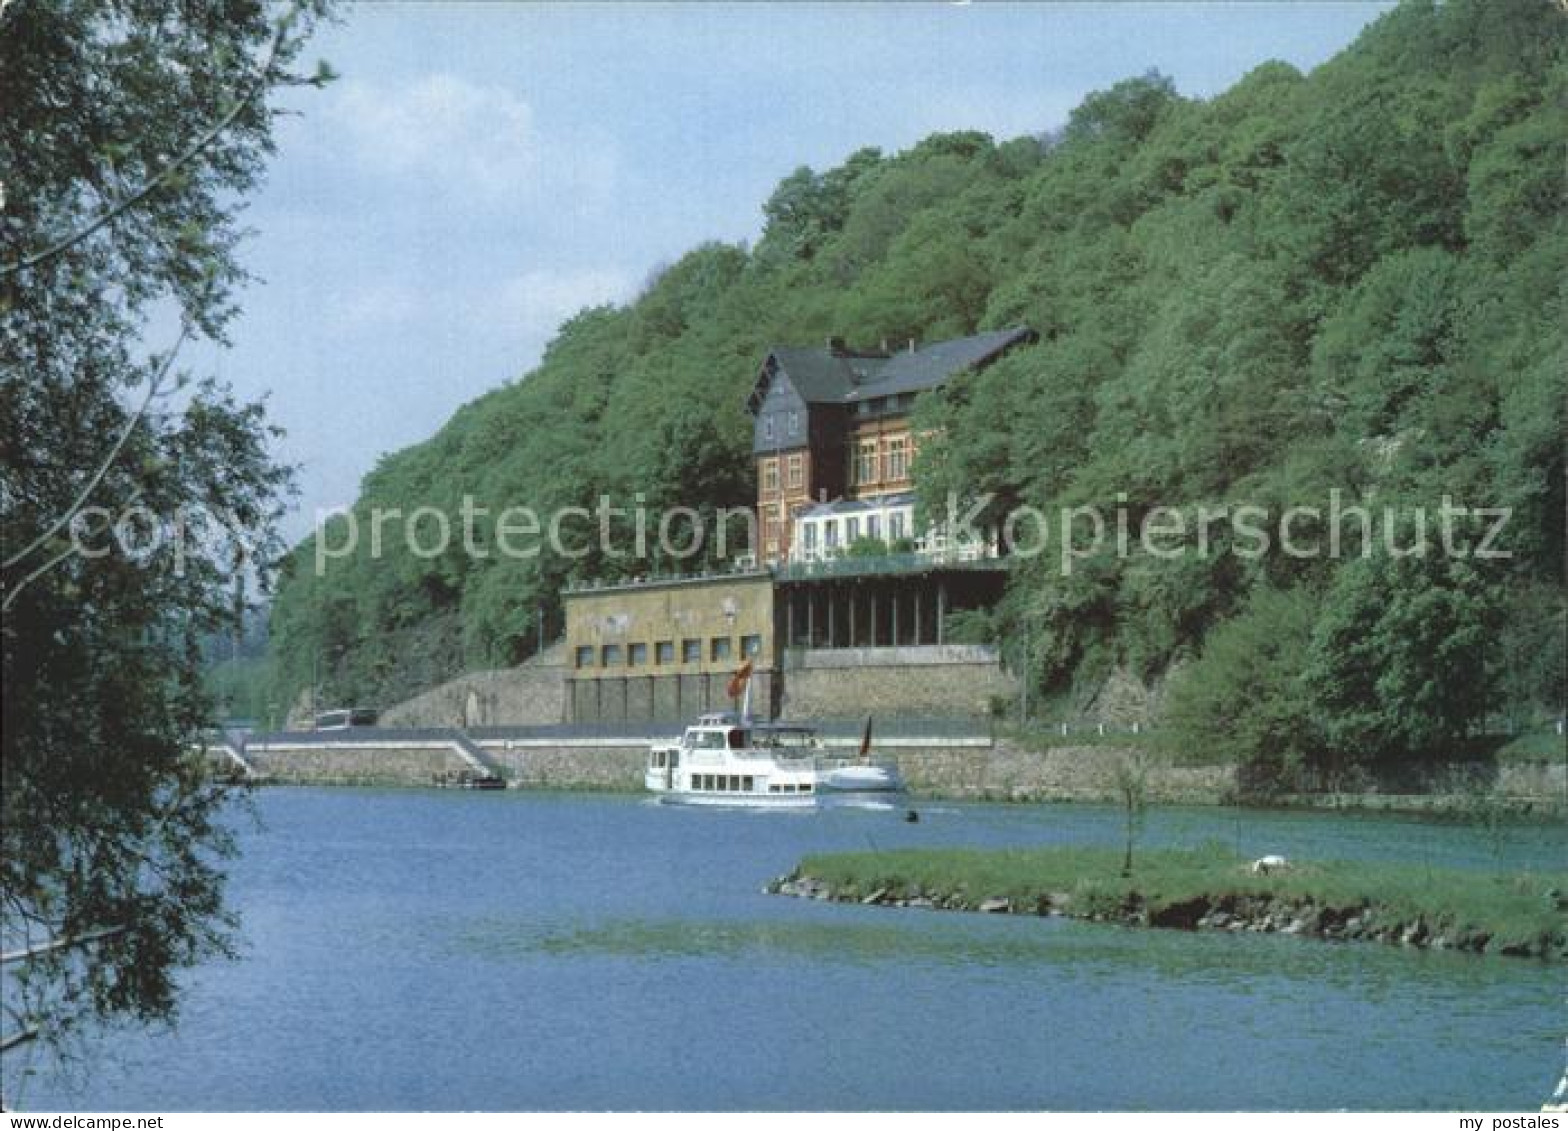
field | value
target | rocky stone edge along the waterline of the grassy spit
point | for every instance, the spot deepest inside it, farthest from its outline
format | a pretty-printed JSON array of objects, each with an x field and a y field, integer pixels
[{"x": 1227, "y": 912}]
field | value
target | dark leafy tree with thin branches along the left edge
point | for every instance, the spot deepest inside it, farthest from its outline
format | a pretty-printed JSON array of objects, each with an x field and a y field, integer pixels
[{"x": 131, "y": 136}]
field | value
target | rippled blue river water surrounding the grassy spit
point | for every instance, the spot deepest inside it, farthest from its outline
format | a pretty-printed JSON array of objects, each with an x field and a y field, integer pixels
[{"x": 410, "y": 950}]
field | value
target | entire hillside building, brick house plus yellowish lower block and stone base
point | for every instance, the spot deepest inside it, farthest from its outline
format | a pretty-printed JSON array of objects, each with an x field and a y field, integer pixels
[{"x": 829, "y": 635}]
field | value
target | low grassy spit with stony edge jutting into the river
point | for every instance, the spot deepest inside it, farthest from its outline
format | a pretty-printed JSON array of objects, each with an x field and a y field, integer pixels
[{"x": 1211, "y": 889}]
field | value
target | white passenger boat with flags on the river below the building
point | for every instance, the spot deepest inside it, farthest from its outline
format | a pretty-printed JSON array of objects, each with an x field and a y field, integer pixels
[{"x": 730, "y": 762}]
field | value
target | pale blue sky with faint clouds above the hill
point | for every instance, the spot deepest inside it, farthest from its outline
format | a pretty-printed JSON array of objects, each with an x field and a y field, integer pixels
[{"x": 484, "y": 170}]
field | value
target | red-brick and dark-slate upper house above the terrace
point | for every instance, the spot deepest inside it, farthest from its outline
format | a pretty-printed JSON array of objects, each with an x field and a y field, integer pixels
[{"x": 832, "y": 426}]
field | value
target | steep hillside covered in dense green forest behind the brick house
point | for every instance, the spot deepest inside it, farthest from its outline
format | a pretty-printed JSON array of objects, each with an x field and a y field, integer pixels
[{"x": 1349, "y": 280}]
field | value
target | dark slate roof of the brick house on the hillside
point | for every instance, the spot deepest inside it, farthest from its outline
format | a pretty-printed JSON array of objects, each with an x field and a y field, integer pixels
[{"x": 837, "y": 377}]
